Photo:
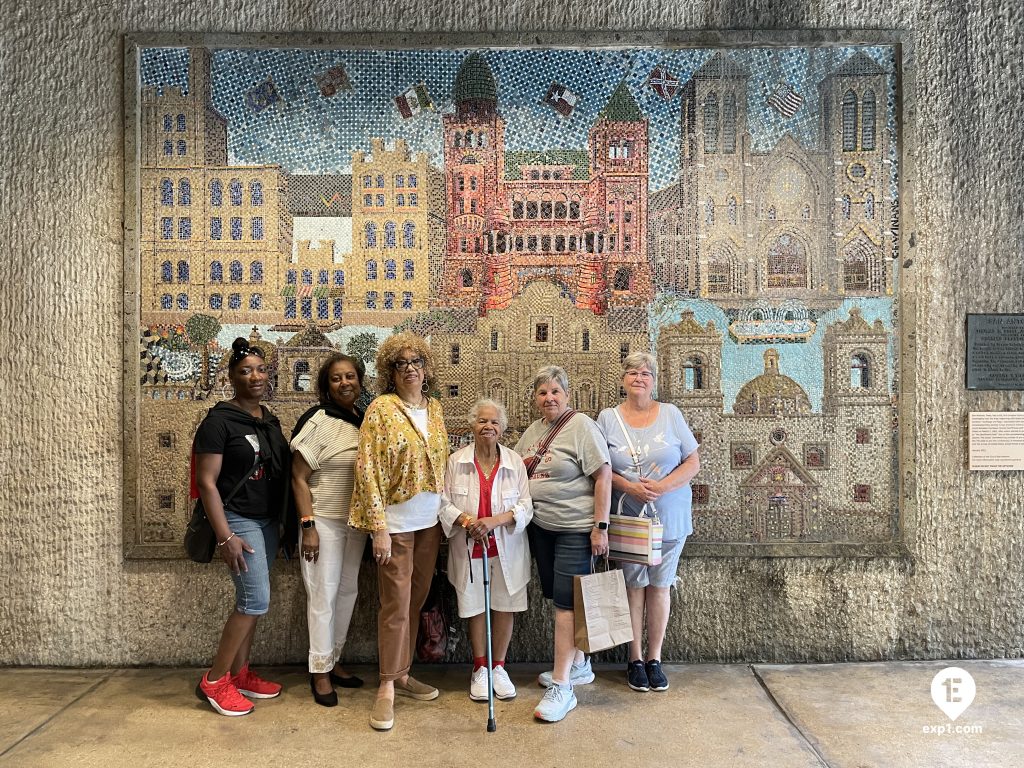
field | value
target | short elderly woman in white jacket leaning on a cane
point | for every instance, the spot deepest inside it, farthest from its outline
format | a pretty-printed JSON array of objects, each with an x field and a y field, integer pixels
[{"x": 488, "y": 494}]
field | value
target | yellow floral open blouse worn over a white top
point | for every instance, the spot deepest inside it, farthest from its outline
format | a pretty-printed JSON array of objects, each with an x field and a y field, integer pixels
[{"x": 395, "y": 463}]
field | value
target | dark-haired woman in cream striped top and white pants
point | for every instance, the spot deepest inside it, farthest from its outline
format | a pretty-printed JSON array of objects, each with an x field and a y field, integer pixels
[{"x": 324, "y": 446}]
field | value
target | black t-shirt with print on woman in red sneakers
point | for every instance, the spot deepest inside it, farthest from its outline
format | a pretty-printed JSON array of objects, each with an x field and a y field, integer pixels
[{"x": 239, "y": 445}]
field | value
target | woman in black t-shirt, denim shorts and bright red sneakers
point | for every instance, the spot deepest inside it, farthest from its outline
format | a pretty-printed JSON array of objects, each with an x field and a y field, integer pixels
[{"x": 241, "y": 456}]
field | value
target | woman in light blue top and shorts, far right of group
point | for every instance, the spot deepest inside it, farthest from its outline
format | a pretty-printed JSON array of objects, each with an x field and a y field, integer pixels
[{"x": 654, "y": 458}]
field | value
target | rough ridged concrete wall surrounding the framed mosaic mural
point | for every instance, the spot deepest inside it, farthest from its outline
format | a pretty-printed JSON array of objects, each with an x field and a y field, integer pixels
[{"x": 69, "y": 599}]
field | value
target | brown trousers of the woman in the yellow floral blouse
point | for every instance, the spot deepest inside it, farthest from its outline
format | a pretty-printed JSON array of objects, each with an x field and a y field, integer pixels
[{"x": 404, "y": 584}]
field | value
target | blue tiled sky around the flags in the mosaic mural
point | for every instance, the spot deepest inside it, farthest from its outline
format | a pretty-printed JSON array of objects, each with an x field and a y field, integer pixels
[{"x": 311, "y": 134}]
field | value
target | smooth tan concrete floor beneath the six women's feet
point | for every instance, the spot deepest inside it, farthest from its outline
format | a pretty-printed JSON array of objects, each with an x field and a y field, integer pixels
[{"x": 849, "y": 716}]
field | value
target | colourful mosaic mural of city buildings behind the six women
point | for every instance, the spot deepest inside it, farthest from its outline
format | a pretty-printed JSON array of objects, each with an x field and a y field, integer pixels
[{"x": 735, "y": 211}]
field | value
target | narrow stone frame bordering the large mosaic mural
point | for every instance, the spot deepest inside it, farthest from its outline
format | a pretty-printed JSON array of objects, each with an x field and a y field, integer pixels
[{"x": 905, "y": 300}]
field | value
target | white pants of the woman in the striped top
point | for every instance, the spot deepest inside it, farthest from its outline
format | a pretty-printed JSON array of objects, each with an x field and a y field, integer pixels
[{"x": 332, "y": 584}]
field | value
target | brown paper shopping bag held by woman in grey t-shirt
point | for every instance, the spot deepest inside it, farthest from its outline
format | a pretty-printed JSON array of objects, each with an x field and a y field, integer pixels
[{"x": 603, "y": 614}]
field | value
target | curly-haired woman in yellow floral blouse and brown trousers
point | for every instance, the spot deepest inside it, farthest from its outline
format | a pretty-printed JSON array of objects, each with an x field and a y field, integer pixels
[{"x": 400, "y": 476}]
